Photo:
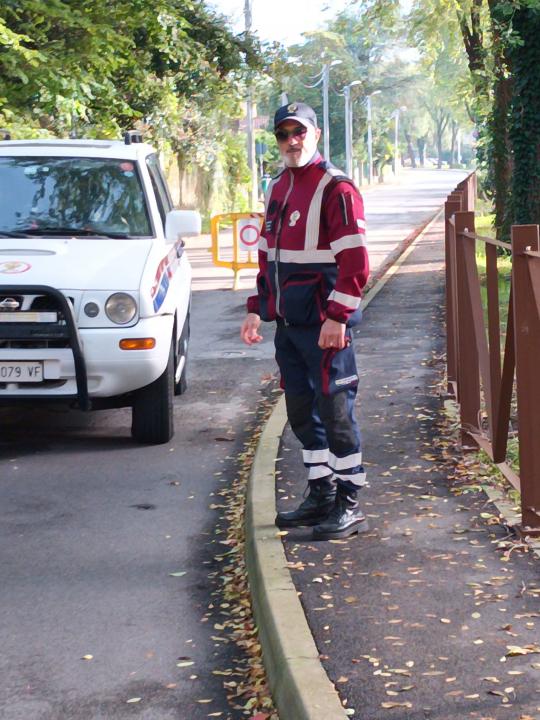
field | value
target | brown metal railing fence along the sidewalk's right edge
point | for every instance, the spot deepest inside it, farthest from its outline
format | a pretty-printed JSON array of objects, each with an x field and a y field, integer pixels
[{"x": 480, "y": 377}]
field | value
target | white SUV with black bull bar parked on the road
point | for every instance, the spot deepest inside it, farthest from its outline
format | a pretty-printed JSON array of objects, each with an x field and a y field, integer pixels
[{"x": 95, "y": 285}]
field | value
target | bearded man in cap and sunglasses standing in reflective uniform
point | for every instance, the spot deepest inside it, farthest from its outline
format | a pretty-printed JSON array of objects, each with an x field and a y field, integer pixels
[{"x": 313, "y": 265}]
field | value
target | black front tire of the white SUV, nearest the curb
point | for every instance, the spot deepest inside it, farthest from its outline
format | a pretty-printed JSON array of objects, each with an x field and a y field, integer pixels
[{"x": 153, "y": 413}]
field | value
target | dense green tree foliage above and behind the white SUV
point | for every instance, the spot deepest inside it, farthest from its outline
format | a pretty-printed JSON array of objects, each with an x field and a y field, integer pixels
[{"x": 99, "y": 66}]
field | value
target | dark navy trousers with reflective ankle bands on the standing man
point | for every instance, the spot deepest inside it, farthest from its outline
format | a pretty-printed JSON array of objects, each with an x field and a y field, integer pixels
[{"x": 320, "y": 390}]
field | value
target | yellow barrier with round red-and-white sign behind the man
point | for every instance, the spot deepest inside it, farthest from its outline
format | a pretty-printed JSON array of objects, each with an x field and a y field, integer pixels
[{"x": 242, "y": 257}]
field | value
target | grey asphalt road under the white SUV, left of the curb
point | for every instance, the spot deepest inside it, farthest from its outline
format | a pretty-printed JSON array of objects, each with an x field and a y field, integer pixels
[{"x": 92, "y": 525}]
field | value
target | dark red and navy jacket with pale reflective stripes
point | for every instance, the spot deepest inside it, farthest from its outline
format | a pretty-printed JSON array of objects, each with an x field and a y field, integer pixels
[{"x": 313, "y": 262}]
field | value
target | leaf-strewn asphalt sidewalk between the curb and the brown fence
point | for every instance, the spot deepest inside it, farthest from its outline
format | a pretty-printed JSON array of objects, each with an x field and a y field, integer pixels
[{"x": 417, "y": 618}]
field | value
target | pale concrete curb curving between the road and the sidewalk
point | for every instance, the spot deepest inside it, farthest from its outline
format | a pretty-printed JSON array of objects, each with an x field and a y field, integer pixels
[{"x": 300, "y": 687}]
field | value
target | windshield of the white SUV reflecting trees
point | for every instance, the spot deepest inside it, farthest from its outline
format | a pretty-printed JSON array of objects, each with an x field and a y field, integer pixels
[{"x": 71, "y": 196}]
